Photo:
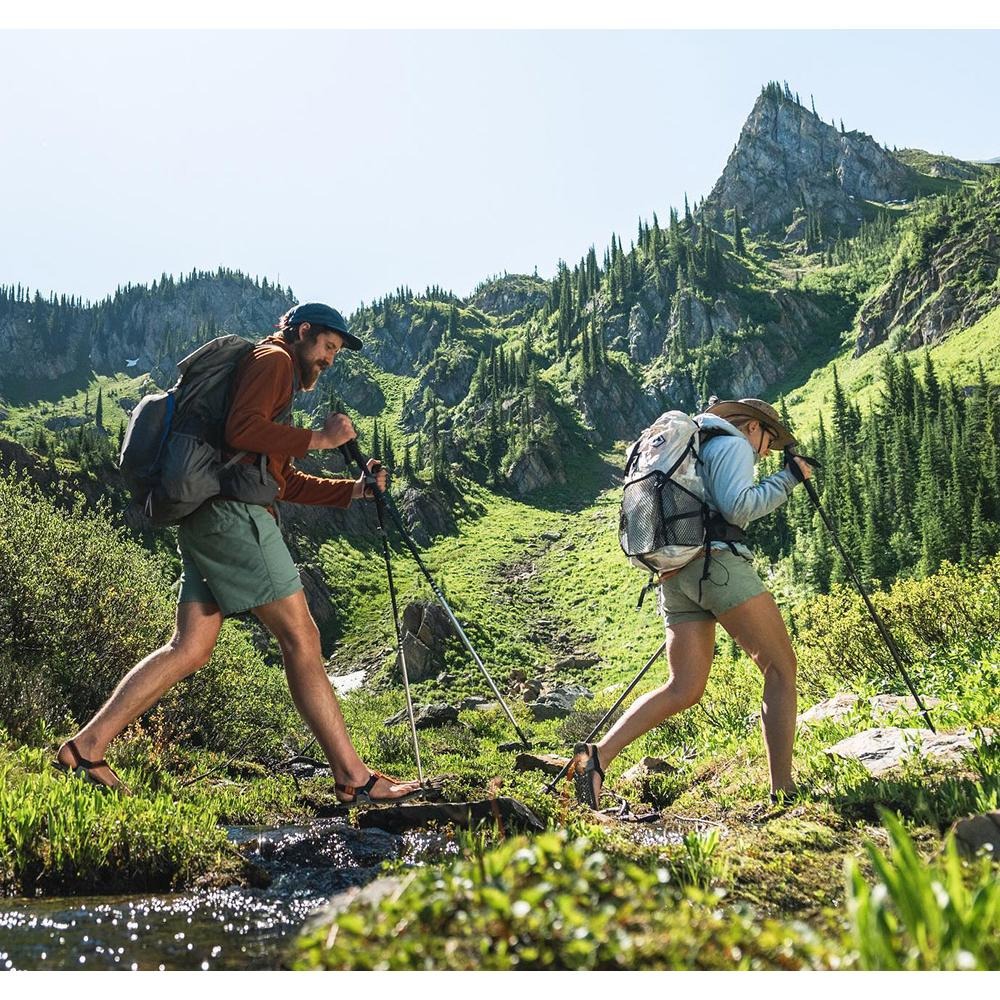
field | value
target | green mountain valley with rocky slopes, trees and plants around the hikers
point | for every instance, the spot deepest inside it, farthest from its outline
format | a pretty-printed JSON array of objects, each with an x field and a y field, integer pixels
[{"x": 855, "y": 287}]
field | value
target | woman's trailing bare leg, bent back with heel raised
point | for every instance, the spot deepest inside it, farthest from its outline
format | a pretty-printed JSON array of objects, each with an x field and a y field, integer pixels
[{"x": 690, "y": 649}]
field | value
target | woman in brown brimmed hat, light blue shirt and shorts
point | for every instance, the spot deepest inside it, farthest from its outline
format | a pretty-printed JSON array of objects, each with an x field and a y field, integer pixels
[{"x": 733, "y": 595}]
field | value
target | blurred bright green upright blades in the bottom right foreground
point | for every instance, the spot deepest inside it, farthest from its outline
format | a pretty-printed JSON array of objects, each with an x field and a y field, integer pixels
[{"x": 919, "y": 916}]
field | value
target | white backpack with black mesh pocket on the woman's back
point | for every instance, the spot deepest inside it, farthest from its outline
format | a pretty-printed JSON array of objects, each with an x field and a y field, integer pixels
[{"x": 663, "y": 523}]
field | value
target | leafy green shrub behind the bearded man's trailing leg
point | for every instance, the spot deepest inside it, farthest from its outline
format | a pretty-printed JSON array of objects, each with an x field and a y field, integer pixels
[{"x": 80, "y": 604}]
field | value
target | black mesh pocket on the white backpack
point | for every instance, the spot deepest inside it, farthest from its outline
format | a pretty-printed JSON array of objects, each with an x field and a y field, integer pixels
[{"x": 657, "y": 512}]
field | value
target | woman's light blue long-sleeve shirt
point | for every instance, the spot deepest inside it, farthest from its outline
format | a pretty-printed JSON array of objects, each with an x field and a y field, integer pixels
[{"x": 727, "y": 469}]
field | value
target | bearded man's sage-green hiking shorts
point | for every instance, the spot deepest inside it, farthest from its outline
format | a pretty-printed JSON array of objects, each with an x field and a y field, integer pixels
[{"x": 233, "y": 555}]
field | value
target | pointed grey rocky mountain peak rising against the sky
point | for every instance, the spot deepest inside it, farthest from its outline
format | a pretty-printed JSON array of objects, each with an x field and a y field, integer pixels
[{"x": 787, "y": 159}]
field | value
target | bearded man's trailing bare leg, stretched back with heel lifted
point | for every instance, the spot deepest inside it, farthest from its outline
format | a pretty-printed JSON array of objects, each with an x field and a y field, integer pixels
[{"x": 188, "y": 650}]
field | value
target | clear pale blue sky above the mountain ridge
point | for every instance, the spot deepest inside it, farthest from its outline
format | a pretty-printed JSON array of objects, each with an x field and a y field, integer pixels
[{"x": 346, "y": 163}]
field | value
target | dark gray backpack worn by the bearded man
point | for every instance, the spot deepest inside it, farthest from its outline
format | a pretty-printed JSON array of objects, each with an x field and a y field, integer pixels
[{"x": 172, "y": 452}]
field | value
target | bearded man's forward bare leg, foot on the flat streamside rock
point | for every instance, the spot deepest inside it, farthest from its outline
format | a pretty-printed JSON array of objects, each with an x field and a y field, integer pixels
[{"x": 292, "y": 625}]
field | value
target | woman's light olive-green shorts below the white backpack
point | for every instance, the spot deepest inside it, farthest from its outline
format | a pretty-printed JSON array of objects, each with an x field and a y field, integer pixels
[{"x": 731, "y": 581}]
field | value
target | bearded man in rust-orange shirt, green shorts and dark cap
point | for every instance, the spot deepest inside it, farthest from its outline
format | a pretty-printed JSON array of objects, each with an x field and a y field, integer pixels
[{"x": 235, "y": 560}]
